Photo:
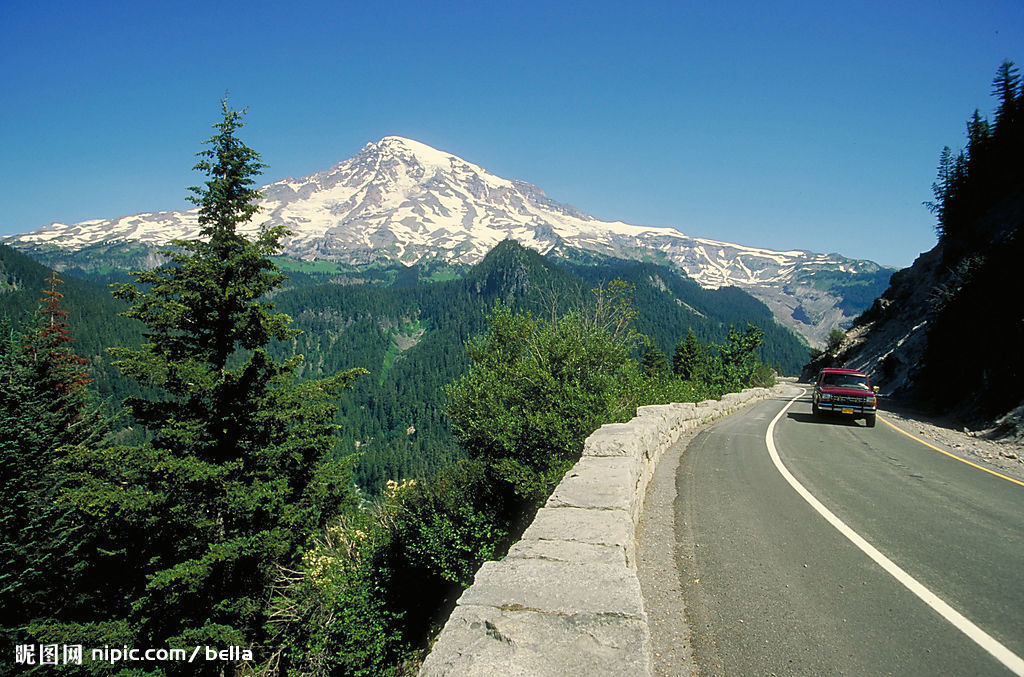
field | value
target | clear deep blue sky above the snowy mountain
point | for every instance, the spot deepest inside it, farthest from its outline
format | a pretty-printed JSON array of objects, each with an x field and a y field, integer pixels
[{"x": 812, "y": 125}]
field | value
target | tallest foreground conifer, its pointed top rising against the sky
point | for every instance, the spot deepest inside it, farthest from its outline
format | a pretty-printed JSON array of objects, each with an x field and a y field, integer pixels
[{"x": 235, "y": 478}]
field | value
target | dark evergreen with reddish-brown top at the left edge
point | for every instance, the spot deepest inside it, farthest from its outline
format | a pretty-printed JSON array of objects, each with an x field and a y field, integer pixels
[{"x": 45, "y": 406}]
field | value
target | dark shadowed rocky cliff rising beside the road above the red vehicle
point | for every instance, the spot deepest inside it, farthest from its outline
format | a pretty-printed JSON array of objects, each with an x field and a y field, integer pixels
[{"x": 948, "y": 335}]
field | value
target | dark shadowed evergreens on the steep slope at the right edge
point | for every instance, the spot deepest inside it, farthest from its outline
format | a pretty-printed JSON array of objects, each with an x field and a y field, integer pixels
[{"x": 974, "y": 344}]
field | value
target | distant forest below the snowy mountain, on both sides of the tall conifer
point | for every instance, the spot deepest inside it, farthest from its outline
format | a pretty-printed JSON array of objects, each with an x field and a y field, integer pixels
[{"x": 410, "y": 334}]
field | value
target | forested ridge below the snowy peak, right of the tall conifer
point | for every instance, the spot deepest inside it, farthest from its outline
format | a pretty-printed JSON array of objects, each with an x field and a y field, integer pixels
[{"x": 412, "y": 341}]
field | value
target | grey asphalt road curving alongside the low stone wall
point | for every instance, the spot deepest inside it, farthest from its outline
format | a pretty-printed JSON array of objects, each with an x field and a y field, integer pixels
[{"x": 773, "y": 588}]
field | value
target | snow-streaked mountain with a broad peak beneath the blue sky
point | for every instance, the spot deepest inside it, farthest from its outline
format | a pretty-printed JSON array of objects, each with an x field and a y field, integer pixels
[{"x": 402, "y": 201}]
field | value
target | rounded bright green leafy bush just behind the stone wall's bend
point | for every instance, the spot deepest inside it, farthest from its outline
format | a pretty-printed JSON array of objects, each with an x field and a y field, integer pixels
[{"x": 535, "y": 392}]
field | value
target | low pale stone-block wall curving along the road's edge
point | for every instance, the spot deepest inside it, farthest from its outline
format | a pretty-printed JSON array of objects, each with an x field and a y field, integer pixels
[{"x": 567, "y": 601}]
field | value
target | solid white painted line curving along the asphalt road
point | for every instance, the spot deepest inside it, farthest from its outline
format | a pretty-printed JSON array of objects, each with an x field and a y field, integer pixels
[{"x": 980, "y": 638}]
